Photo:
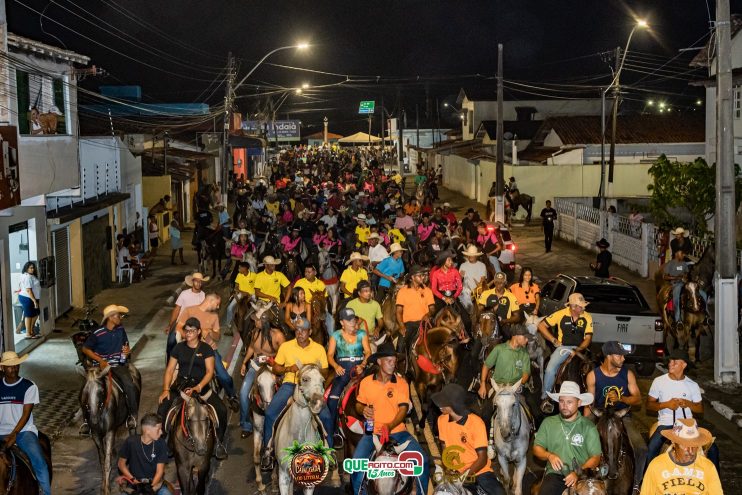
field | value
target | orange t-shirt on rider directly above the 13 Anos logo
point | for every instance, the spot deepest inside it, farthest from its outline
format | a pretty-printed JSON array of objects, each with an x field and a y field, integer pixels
[{"x": 386, "y": 398}]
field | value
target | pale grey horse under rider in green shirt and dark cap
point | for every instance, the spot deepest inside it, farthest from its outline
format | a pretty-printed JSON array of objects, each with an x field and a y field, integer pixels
[{"x": 512, "y": 434}]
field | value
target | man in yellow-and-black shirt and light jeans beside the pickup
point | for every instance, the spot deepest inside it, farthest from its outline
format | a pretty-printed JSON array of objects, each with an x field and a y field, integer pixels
[{"x": 574, "y": 328}]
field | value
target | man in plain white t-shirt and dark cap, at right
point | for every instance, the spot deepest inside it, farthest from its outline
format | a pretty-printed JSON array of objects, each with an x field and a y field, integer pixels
[{"x": 673, "y": 396}]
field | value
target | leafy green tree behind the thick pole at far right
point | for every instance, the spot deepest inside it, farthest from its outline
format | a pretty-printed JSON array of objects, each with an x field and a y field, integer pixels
[{"x": 690, "y": 186}]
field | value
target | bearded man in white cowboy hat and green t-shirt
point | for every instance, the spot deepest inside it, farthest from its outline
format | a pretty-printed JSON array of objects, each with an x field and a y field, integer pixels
[{"x": 566, "y": 437}]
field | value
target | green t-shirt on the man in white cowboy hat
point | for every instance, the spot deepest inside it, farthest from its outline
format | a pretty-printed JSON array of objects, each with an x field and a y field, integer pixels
[{"x": 577, "y": 440}]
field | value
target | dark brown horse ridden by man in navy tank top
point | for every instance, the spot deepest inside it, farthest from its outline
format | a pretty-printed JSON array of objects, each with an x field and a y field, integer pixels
[{"x": 617, "y": 452}]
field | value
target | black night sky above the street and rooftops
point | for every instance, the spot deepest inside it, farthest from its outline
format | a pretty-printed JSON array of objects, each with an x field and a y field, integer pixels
[{"x": 410, "y": 52}]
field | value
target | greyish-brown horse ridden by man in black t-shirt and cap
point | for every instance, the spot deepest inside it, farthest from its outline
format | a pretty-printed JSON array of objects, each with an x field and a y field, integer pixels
[{"x": 192, "y": 440}]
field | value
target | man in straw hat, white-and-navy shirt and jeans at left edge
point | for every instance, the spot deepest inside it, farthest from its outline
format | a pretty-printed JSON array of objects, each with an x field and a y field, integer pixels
[{"x": 17, "y": 399}]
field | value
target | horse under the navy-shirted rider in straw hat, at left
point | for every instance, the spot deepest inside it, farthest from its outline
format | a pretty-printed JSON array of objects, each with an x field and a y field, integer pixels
[{"x": 104, "y": 408}]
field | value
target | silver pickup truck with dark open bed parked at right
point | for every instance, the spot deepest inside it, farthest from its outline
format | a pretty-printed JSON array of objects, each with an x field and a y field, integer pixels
[{"x": 619, "y": 312}]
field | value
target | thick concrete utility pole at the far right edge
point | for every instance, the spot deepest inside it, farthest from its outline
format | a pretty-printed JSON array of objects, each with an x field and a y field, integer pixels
[{"x": 726, "y": 338}]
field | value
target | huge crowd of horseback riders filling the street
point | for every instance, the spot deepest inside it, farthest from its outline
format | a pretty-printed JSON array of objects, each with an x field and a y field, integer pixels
[{"x": 358, "y": 304}]
